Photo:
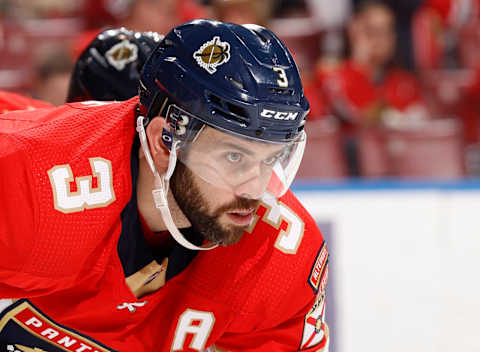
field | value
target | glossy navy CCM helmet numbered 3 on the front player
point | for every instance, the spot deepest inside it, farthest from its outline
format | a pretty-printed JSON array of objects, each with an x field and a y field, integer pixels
[{"x": 237, "y": 78}]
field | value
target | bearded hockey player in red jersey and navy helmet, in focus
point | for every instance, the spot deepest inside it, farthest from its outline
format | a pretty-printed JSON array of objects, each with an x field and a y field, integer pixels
[{"x": 184, "y": 237}]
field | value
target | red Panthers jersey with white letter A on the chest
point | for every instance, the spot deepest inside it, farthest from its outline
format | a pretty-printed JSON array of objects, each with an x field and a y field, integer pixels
[{"x": 71, "y": 240}]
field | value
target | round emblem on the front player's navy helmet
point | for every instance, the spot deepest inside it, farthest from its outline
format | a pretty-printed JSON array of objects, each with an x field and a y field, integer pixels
[{"x": 212, "y": 54}]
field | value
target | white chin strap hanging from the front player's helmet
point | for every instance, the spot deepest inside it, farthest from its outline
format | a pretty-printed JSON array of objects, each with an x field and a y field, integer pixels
[{"x": 161, "y": 185}]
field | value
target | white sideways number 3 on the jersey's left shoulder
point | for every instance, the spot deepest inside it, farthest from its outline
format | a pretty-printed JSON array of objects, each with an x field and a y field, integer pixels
[{"x": 86, "y": 197}]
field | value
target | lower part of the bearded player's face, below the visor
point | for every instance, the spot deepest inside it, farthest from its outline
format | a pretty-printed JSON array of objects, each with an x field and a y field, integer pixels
[{"x": 219, "y": 215}]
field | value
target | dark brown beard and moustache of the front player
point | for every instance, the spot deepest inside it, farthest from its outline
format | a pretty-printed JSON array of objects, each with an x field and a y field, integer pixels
[{"x": 193, "y": 205}]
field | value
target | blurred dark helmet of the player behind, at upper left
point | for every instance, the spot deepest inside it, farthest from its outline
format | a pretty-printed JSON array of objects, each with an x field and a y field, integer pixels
[{"x": 109, "y": 68}]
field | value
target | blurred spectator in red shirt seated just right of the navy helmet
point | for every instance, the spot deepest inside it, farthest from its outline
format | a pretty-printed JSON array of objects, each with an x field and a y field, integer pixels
[{"x": 368, "y": 88}]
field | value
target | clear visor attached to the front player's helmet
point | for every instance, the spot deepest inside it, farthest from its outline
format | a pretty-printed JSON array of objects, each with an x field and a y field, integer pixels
[{"x": 246, "y": 167}]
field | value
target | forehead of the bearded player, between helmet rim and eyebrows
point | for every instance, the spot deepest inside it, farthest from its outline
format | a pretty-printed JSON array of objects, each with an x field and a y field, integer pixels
[{"x": 211, "y": 139}]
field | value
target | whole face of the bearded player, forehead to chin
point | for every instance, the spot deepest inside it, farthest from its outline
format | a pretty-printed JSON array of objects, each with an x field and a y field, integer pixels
[{"x": 218, "y": 180}]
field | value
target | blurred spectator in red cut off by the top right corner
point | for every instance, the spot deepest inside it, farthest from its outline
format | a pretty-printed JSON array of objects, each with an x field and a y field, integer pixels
[{"x": 447, "y": 53}]
